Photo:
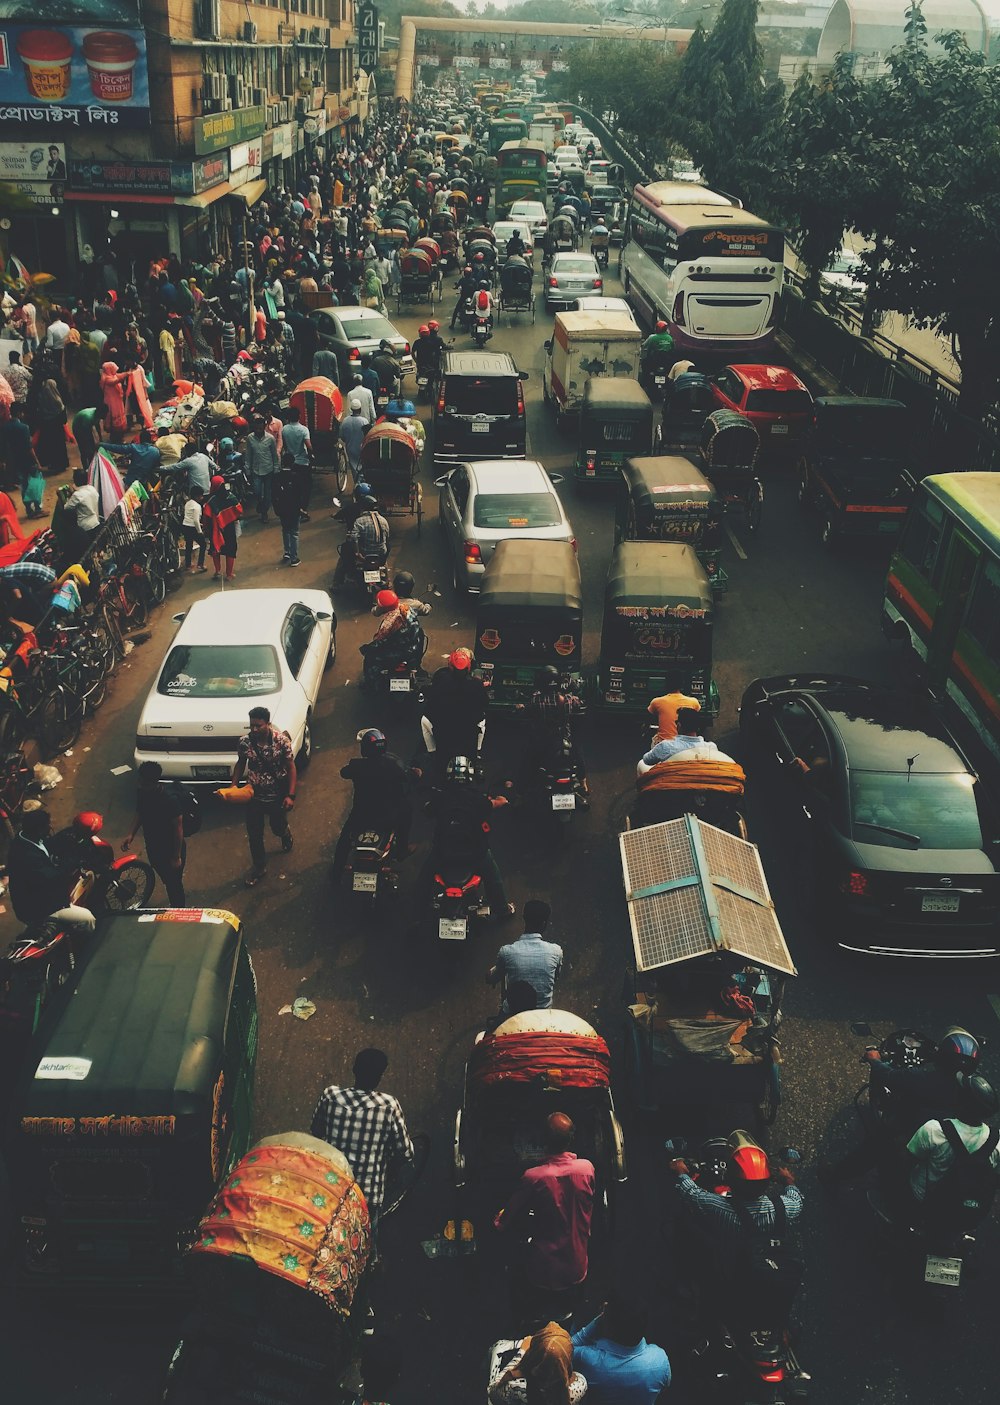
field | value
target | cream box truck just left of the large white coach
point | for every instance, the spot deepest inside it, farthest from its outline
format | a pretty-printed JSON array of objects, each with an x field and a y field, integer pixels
[{"x": 585, "y": 345}]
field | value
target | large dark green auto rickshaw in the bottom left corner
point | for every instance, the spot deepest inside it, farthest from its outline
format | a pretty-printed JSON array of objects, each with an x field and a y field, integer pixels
[{"x": 134, "y": 1102}]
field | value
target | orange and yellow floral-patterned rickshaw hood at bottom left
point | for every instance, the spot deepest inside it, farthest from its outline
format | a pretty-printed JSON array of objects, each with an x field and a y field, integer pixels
[{"x": 294, "y": 1215}]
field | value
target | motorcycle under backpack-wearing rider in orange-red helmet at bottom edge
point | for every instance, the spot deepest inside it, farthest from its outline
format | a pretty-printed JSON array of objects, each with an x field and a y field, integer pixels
[{"x": 758, "y": 1362}]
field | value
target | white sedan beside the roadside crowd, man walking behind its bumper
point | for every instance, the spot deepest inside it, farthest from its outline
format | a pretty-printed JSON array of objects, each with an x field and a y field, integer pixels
[{"x": 234, "y": 651}]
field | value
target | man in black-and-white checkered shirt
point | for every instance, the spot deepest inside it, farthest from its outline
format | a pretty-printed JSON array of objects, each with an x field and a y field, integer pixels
[{"x": 366, "y": 1126}]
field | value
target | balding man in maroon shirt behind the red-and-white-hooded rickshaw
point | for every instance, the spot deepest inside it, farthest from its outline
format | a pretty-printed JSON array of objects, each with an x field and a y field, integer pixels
[{"x": 547, "y": 1224}]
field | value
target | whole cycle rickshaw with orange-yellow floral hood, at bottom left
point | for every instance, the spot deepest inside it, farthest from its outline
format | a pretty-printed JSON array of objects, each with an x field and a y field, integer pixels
[{"x": 275, "y": 1271}]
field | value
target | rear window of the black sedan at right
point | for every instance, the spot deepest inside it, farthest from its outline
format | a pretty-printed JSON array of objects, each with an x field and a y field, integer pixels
[{"x": 915, "y": 811}]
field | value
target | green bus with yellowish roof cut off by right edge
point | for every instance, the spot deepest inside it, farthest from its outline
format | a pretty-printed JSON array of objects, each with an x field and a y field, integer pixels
[{"x": 943, "y": 596}]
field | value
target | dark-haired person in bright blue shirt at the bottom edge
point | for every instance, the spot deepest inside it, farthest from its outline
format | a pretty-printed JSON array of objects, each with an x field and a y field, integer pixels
[{"x": 621, "y": 1368}]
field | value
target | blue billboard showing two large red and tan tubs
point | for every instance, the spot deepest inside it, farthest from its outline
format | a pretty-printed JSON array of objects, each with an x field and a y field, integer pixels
[{"x": 68, "y": 77}]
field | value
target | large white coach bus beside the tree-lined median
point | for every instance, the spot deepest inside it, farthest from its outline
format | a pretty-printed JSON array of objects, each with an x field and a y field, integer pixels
[{"x": 707, "y": 268}]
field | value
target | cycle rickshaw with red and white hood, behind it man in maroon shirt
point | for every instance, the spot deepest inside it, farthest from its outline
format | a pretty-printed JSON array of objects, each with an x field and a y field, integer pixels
[{"x": 530, "y": 1067}]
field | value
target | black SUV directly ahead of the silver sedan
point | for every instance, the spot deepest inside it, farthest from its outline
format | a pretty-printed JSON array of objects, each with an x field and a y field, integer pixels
[{"x": 480, "y": 411}]
